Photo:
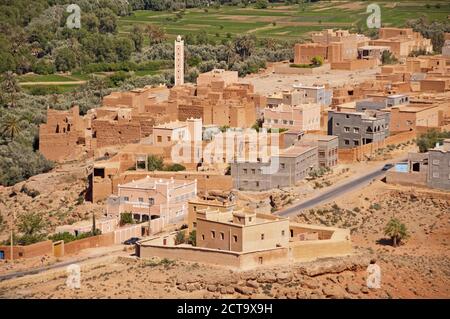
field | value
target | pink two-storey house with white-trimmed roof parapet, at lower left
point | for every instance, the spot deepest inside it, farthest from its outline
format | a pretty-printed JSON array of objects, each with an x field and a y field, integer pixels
[{"x": 164, "y": 199}]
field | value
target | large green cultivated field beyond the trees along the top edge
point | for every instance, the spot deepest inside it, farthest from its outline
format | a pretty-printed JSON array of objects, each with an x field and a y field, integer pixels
[{"x": 282, "y": 21}]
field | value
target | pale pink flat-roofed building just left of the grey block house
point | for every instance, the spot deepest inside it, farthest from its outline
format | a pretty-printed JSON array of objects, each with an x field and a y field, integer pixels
[{"x": 303, "y": 117}]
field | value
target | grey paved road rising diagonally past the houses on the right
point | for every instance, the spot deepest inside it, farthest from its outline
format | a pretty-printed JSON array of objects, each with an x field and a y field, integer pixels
[{"x": 337, "y": 191}]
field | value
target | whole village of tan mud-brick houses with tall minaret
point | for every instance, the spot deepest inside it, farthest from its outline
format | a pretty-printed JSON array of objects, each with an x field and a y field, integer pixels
[{"x": 212, "y": 172}]
